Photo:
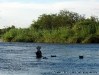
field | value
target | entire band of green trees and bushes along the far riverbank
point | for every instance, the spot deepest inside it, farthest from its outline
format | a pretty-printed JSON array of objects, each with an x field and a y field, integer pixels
[{"x": 64, "y": 27}]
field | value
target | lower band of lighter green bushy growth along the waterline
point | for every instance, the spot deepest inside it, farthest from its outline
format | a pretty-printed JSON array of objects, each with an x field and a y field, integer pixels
[{"x": 80, "y": 34}]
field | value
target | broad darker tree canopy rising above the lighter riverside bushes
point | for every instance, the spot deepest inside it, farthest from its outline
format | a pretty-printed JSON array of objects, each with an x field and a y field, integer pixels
[{"x": 63, "y": 19}]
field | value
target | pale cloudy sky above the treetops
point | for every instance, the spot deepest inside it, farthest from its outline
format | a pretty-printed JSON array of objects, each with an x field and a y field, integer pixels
[{"x": 21, "y": 13}]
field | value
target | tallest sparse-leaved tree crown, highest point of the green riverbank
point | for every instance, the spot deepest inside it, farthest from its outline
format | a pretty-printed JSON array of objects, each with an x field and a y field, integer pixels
[{"x": 70, "y": 18}]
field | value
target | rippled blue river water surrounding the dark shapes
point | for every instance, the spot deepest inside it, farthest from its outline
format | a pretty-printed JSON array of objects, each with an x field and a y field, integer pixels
[{"x": 19, "y": 59}]
